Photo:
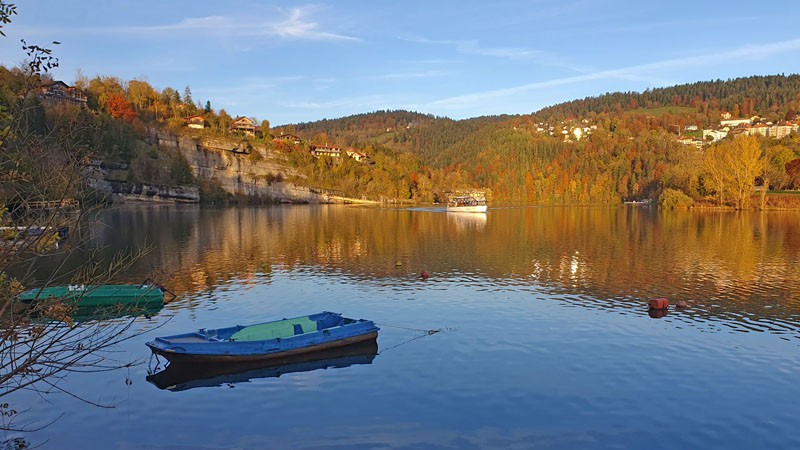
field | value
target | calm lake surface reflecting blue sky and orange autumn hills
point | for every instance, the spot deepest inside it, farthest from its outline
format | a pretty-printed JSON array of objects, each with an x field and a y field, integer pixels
[{"x": 546, "y": 341}]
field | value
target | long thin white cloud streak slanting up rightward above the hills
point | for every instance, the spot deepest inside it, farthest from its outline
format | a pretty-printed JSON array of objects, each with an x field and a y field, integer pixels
[{"x": 747, "y": 52}]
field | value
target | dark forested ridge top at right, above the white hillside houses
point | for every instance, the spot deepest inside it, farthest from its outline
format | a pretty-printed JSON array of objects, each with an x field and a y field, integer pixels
[{"x": 774, "y": 97}]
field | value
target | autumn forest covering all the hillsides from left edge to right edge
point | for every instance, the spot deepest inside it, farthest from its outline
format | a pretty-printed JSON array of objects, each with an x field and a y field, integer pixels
[{"x": 599, "y": 150}]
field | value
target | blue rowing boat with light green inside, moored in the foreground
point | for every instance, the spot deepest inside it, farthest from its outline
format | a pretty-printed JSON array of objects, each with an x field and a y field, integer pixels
[{"x": 270, "y": 340}]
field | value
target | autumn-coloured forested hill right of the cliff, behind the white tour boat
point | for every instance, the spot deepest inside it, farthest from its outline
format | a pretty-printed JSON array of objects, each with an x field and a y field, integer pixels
[{"x": 604, "y": 149}]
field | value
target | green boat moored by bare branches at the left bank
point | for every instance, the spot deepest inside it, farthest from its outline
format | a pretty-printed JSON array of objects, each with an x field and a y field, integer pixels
[{"x": 87, "y": 295}]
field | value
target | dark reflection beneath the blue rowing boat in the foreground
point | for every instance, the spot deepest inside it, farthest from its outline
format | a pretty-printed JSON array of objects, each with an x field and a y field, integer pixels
[{"x": 180, "y": 377}]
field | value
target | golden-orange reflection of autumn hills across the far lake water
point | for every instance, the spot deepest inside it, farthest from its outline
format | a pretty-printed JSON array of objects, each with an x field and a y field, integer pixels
[{"x": 737, "y": 265}]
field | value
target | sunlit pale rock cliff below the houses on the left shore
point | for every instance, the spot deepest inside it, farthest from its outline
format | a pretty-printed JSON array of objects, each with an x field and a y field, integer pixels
[{"x": 240, "y": 168}]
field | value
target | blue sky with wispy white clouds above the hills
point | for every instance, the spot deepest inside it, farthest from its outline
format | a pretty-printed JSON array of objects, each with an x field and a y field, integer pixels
[{"x": 296, "y": 61}]
